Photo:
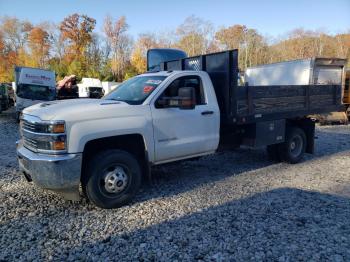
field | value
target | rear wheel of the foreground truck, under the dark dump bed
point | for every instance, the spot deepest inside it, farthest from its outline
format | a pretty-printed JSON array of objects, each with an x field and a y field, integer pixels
[{"x": 293, "y": 149}]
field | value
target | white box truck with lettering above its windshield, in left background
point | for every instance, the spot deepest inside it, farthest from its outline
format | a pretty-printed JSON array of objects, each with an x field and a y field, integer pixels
[{"x": 33, "y": 86}]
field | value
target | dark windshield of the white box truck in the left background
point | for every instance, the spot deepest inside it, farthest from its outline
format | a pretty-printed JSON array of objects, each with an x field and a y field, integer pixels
[{"x": 36, "y": 92}]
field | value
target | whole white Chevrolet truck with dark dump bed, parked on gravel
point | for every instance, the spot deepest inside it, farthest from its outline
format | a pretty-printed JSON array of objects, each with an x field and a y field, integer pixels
[{"x": 108, "y": 146}]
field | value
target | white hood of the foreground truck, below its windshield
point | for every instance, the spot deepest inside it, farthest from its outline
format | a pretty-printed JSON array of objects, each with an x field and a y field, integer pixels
[{"x": 80, "y": 109}]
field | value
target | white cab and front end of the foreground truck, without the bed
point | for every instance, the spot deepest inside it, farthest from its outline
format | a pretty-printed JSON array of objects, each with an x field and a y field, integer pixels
[{"x": 157, "y": 117}]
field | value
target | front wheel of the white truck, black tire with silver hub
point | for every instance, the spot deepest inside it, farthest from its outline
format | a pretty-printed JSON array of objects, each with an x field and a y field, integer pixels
[{"x": 113, "y": 178}]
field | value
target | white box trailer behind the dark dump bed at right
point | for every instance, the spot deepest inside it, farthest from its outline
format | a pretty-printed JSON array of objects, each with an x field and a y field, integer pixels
[{"x": 317, "y": 71}]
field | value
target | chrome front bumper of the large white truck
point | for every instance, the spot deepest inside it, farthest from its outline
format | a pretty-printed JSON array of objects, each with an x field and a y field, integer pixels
[{"x": 59, "y": 173}]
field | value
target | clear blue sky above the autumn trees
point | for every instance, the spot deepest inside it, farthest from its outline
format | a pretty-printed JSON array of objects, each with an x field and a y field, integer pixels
[{"x": 270, "y": 17}]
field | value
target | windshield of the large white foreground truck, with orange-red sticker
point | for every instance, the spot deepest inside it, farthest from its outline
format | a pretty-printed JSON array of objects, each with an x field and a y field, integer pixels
[{"x": 135, "y": 90}]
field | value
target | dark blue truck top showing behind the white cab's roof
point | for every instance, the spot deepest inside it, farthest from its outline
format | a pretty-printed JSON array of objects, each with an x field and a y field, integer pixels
[{"x": 156, "y": 56}]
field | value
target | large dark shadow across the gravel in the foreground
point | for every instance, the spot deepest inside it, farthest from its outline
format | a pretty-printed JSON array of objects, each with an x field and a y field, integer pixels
[{"x": 283, "y": 224}]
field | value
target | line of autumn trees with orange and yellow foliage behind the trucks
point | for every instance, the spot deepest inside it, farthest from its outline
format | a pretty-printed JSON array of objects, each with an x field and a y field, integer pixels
[{"x": 74, "y": 47}]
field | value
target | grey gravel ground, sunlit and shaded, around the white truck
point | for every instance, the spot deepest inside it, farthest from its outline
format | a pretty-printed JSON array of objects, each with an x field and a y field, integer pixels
[{"x": 235, "y": 206}]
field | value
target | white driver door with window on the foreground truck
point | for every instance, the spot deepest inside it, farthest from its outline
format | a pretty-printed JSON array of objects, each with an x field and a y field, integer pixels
[{"x": 180, "y": 133}]
